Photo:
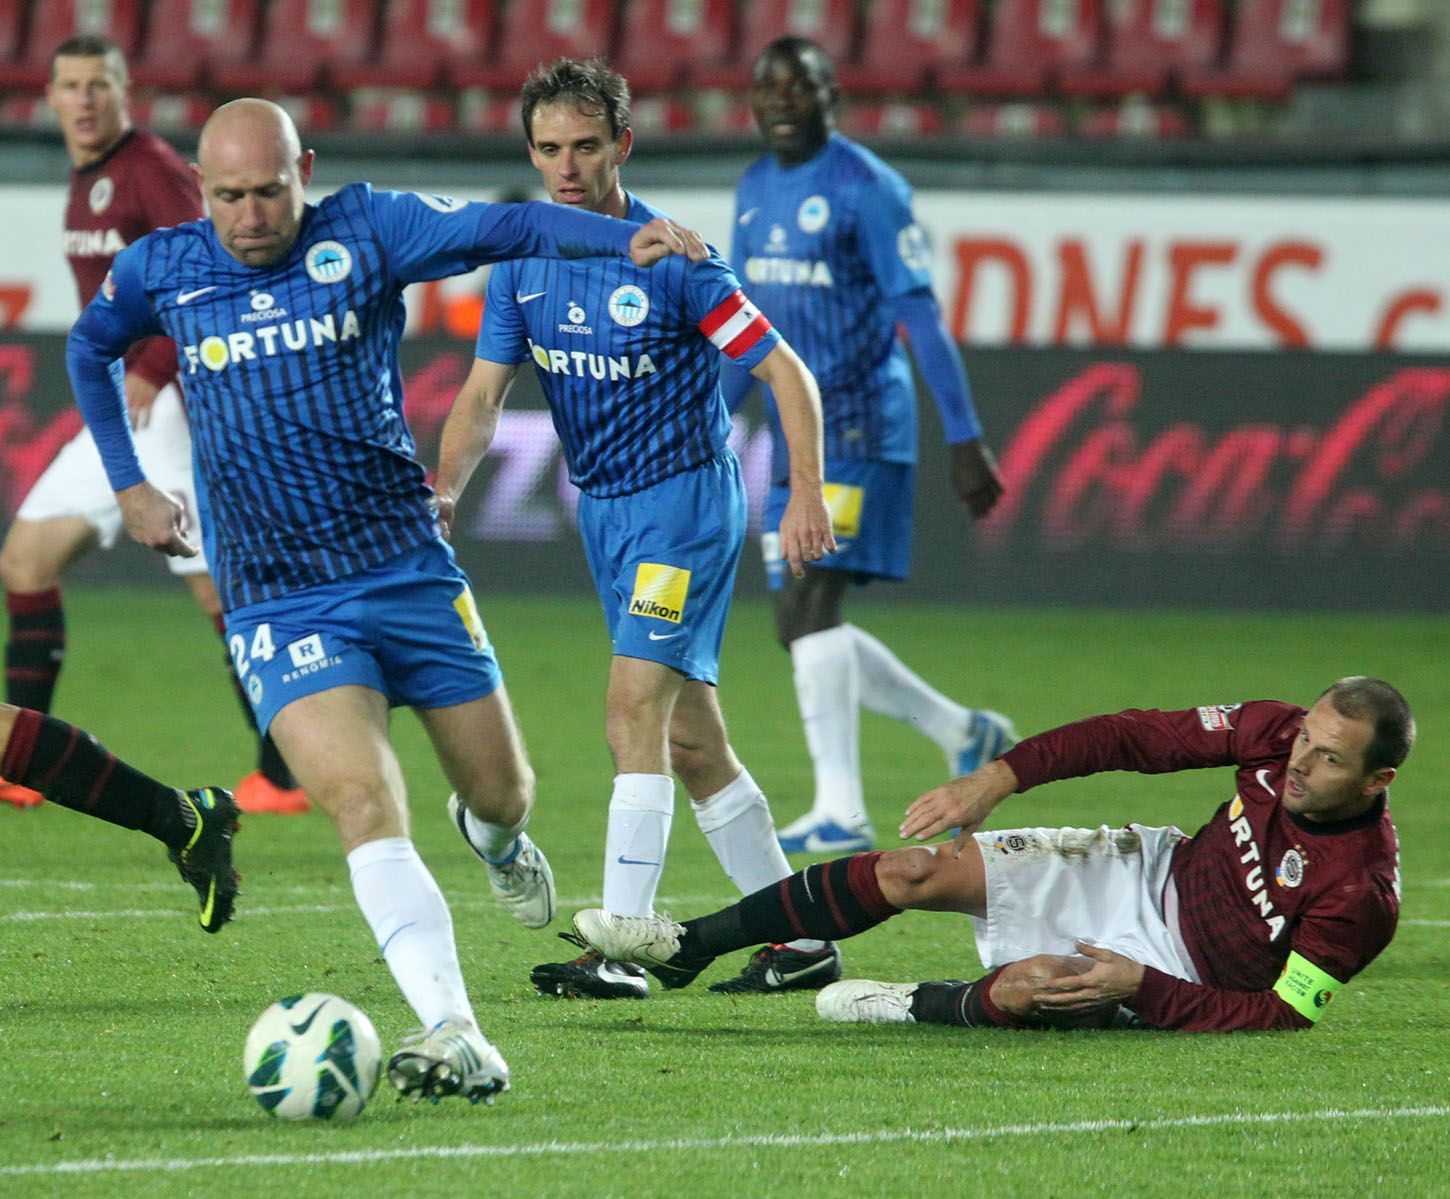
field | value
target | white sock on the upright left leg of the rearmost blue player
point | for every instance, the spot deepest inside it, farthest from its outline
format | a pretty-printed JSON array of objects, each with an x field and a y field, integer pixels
[{"x": 829, "y": 689}]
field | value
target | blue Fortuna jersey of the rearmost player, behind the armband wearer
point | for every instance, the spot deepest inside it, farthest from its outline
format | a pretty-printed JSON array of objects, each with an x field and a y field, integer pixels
[{"x": 824, "y": 247}]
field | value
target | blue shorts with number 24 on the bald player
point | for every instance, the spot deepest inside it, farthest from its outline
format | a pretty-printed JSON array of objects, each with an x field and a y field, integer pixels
[{"x": 408, "y": 628}]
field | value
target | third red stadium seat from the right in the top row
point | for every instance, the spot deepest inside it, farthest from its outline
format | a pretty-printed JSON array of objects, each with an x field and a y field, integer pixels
[{"x": 1032, "y": 41}]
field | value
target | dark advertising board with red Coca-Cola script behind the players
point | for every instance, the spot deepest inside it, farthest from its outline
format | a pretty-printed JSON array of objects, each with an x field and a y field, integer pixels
[{"x": 1133, "y": 478}]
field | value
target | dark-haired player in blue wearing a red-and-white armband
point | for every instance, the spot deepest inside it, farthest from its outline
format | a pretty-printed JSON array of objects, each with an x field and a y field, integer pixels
[{"x": 630, "y": 363}]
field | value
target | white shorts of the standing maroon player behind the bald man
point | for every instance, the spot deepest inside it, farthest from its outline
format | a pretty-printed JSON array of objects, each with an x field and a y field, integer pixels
[{"x": 76, "y": 484}]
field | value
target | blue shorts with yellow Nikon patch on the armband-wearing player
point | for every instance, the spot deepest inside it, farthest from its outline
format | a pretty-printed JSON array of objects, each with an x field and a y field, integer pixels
[{"x": 665, "y": 565}]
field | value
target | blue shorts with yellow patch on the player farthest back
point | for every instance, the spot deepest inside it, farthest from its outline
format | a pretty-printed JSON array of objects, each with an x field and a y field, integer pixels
[{"x": 872, "y": 513}]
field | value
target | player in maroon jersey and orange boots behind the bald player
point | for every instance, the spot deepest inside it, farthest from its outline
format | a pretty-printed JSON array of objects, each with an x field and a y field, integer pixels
[{"x": 125, "y": 183}]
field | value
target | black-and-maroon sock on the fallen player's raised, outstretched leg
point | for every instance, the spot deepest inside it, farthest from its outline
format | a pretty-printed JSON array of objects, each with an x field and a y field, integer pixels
[{"x": 824, "y": 903}]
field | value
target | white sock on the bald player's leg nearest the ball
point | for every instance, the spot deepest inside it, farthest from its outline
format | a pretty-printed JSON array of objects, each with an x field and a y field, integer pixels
[{"x": 414, "y": 932}]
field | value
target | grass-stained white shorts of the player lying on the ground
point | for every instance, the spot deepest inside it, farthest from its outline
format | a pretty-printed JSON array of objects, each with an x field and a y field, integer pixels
[{"x": 1049, "y": 888}]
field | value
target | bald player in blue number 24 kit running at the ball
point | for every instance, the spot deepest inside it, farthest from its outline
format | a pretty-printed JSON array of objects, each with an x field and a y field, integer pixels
[{"x": 341, "y": 597}]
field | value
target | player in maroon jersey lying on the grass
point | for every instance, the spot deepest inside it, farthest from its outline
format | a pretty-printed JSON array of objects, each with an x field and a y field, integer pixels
[{"x": 1255, "y": 923}]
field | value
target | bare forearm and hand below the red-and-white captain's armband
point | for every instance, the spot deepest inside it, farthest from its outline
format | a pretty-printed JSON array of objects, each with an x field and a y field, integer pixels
[{"x": 805, "y": 527}]
